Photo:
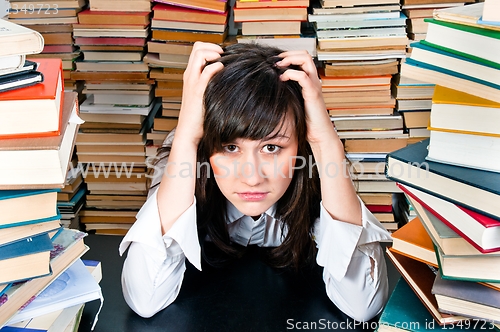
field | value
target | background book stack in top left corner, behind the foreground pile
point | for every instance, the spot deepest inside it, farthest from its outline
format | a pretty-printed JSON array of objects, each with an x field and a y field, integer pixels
[{"x": 53, "y": 19}]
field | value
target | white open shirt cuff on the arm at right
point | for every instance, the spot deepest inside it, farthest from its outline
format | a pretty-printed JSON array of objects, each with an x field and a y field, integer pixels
[{"x": 337, "y": 240}]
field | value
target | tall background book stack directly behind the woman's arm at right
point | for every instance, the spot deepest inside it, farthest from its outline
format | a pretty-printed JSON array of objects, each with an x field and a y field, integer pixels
[{"x": 360, "y": 44}]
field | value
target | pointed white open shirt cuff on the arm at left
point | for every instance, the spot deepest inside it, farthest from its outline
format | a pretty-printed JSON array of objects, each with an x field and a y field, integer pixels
[{"x": 147, "y": 230}]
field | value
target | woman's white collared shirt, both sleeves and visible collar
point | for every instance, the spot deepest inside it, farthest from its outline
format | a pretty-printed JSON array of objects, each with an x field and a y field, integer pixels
[{"x": 154, "y": 268}]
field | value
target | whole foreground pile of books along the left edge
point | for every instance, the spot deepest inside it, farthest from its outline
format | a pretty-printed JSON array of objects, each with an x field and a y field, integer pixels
[{"x": 39, "y": 122}]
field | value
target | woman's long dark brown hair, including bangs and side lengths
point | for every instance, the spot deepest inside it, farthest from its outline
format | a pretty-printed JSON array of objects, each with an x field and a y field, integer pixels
[{"x": 247, "y": 99}]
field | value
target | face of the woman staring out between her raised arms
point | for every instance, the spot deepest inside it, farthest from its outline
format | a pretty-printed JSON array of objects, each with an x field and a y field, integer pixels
[{"x": 253, "y": 175}]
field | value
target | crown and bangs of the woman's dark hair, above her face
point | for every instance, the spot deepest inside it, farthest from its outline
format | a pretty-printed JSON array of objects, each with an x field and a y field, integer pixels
[{"x": 247, "y": 99}]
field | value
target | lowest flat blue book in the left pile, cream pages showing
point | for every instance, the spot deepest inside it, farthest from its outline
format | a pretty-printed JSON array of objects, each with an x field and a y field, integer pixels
[{"x": 25, "y": 259}]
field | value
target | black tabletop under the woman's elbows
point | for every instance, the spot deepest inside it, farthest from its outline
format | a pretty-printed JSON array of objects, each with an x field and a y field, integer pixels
[{"x": 247, "y": 295}]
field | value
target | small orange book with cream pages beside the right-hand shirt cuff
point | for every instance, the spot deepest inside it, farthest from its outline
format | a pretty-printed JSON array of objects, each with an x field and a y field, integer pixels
[{"x": 412, "y": 240}]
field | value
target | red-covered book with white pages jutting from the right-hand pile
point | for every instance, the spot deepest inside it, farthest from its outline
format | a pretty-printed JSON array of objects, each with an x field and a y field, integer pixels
[{"x": 479, "y": 230}]
